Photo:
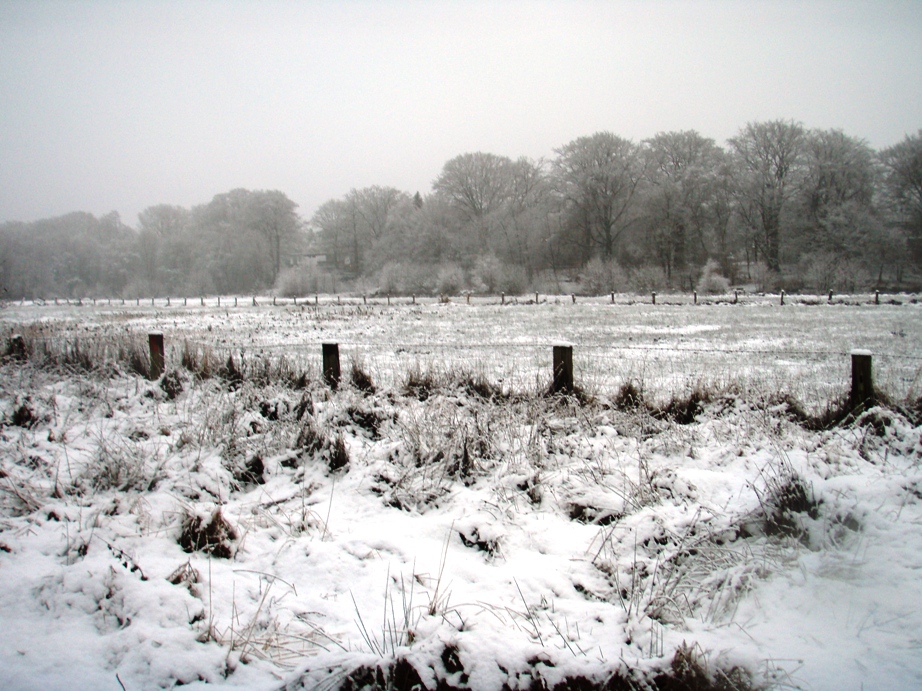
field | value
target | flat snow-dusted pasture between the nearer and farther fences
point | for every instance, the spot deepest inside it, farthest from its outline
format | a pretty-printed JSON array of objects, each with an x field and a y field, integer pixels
[{"x": 740, "y": 342}]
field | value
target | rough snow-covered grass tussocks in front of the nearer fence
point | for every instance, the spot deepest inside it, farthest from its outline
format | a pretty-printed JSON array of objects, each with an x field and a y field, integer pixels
[{"x": 264, "y": 531}]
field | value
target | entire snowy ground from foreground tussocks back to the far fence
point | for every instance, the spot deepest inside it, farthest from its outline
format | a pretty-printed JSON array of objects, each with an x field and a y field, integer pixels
[{"x": 268, "y": 532}]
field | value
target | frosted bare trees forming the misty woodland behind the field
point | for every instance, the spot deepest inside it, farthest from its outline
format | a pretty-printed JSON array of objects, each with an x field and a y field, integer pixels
[{"x": 780, "y": 206}]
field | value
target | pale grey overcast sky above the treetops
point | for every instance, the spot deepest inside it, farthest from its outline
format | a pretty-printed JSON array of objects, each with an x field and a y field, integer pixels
[{"x": 122, "y": 105}]
